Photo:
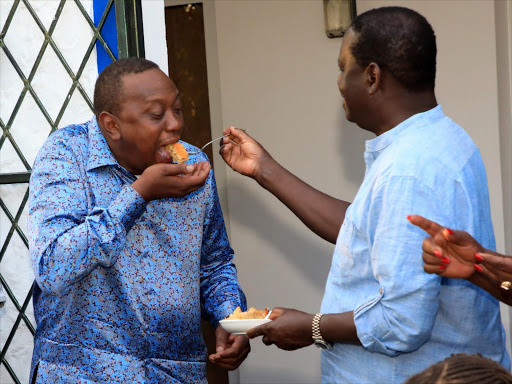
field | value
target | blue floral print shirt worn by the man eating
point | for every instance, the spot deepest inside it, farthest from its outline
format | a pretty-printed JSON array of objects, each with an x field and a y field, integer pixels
[{"x": 121, "y": 284}]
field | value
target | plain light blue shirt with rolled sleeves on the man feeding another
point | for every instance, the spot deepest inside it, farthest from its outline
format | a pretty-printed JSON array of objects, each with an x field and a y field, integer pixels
[{"x": 407, "y": 319}]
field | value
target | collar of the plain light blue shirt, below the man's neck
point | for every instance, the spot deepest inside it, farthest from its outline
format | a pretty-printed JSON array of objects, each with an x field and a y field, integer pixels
[{"x": 418, "y": 120}]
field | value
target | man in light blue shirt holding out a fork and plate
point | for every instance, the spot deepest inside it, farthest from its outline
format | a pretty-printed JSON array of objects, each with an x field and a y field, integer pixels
[{"x": 382, "y": 318}]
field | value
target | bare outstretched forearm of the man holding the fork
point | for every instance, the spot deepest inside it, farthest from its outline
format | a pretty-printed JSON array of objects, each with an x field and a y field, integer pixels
[{"x": 320, "y": 212}]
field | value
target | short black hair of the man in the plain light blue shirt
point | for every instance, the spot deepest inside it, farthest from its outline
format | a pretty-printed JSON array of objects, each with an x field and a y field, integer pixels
[{"x": 400, "y": 41}]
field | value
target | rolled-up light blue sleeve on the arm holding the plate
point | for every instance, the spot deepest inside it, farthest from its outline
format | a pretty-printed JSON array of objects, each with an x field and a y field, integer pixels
[{"x": 400, "y": 315}]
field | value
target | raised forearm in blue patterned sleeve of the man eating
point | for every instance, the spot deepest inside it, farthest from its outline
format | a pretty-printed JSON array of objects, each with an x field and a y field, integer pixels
[{"x": 67, "y": 247}]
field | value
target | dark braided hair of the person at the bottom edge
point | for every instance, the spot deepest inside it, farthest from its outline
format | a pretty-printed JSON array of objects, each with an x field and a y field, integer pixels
[{"x": 462, "y": 368}]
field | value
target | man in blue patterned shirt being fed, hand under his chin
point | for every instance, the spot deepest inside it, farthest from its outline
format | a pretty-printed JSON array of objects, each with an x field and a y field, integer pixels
[{"x": 129, "y": 251}]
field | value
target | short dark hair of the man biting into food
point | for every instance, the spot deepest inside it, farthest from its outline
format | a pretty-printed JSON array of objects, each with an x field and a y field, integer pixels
[{"x": 108, "y": 95}]
